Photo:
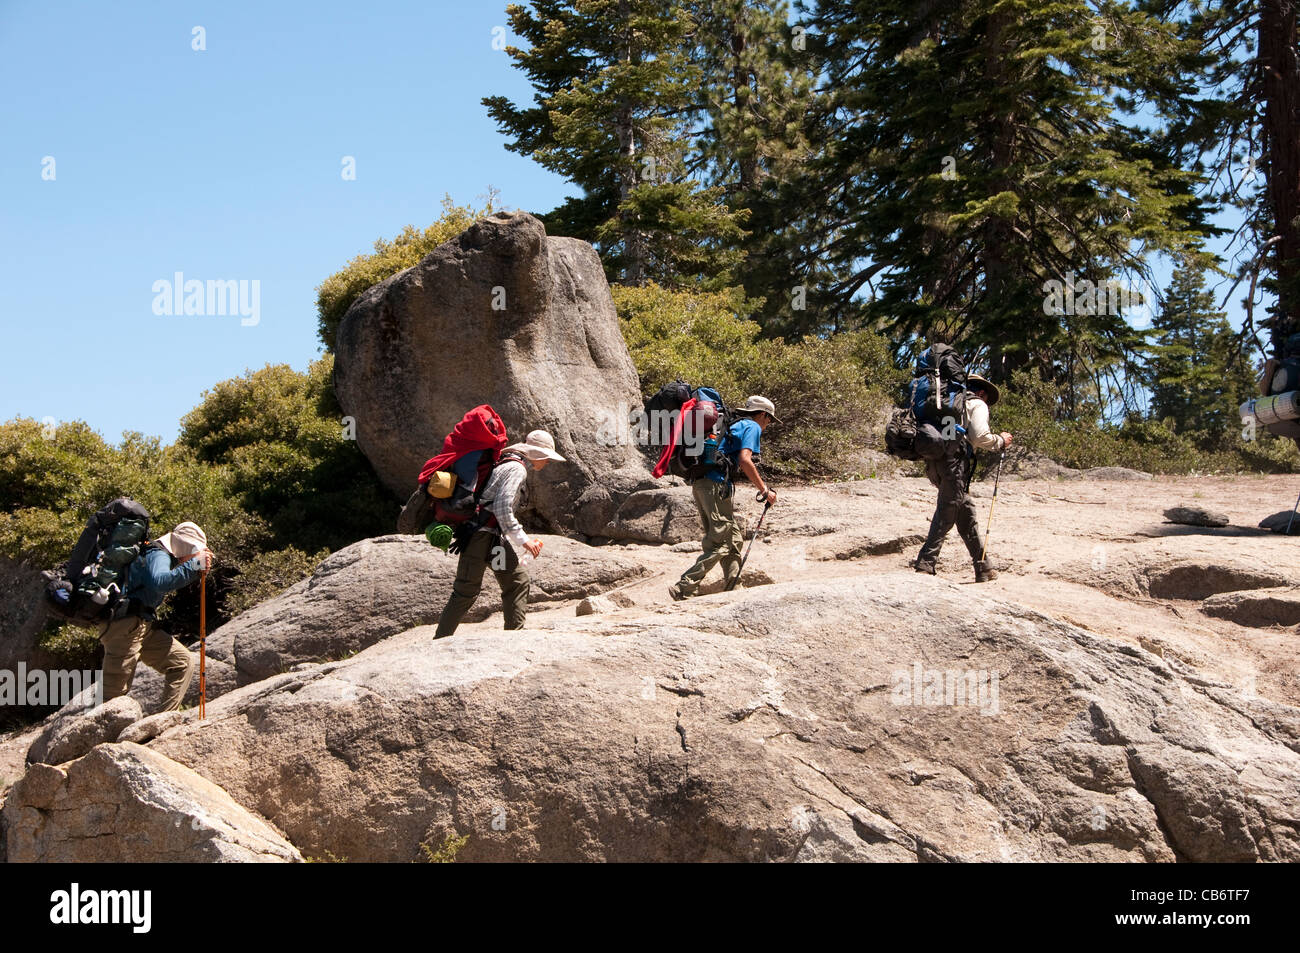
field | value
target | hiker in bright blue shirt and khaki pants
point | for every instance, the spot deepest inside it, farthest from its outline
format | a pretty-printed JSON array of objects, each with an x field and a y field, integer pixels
[{"x": 714, "y": 500}]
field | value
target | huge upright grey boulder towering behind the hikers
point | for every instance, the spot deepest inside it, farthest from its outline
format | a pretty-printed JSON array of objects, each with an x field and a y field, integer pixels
[{"x": 508, "y": 317}]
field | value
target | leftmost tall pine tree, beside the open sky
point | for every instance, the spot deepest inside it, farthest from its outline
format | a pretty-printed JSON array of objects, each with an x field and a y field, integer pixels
[{"x": 614, "y": 111}]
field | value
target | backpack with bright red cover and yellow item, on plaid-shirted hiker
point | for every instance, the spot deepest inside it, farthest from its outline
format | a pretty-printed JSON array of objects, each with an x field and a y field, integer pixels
[{"x": 450, "y": 484}]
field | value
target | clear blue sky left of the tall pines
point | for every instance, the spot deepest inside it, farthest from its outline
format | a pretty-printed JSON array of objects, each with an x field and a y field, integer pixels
[{"x": 222, "y": 164}]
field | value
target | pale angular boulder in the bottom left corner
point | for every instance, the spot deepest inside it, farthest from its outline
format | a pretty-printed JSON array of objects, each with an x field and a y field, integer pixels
[{"x": 125, "y": 803}]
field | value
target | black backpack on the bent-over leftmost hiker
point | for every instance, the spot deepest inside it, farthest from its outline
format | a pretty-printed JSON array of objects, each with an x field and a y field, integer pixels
[{"x": 89, "y": 590}]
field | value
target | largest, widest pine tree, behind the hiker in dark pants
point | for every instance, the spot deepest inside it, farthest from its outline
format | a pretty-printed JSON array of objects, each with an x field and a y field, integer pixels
[{"x": 973, "y": 154}]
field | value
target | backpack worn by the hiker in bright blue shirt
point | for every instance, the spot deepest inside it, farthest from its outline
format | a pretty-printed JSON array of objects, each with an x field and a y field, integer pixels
[{"x": 700, "y": 435}]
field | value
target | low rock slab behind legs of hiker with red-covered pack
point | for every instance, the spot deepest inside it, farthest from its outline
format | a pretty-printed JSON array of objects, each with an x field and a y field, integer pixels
[{"x": 378, "y": 588}]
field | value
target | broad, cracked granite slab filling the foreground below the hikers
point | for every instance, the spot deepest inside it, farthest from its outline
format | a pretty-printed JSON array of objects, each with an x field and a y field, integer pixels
[{"x": 805, "y": 721}]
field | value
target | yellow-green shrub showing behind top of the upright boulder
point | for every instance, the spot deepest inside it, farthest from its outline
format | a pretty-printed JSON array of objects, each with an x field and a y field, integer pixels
[{"x": 336, "y": 294}]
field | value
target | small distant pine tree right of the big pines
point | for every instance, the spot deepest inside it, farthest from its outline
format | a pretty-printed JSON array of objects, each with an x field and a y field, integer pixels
[{"x": 1198, "y": 376}]
